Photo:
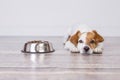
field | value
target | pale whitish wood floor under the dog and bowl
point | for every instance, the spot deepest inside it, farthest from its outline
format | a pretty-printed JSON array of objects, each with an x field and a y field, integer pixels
[{"x": 59, "y": 65}]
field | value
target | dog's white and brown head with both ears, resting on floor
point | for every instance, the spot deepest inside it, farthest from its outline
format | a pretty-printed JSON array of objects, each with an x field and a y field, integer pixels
[{"x": 86, "y": 42}]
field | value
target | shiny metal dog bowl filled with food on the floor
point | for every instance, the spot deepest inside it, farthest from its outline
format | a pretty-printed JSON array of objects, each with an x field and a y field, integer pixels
[{"x": 38, "y": 47}]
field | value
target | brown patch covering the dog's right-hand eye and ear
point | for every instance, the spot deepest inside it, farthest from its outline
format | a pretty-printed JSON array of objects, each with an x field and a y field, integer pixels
[{"x": 95, "y": 37}]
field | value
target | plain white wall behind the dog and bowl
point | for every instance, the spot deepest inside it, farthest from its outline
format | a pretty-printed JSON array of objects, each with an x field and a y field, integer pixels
[{"x": 53, "y": 17}]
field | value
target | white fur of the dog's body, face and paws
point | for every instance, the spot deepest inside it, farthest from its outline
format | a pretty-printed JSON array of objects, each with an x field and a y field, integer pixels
[{"x": 83, "y": 28}]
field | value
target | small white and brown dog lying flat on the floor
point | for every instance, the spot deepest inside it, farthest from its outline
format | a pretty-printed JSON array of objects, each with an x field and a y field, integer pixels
[{"x": 84, "y": 40}]
